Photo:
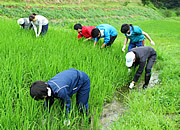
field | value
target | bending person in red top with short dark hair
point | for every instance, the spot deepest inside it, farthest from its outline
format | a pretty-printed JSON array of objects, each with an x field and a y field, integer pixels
[{"x": 84, "y": 31}]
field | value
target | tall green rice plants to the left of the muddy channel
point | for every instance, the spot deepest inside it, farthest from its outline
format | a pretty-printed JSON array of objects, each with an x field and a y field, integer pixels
[{"x": 25, "y": 59}]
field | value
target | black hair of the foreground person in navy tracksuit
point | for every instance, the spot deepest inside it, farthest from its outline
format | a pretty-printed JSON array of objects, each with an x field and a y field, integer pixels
[{"x": 38, "y": 90}]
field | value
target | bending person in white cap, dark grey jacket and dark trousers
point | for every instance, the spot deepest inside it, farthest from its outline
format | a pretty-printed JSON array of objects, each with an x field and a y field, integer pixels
[{"x": 139, "y": 56}]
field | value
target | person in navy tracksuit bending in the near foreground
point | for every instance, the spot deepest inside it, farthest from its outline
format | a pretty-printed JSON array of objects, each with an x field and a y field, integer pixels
[{"x": 62, "y": 86}]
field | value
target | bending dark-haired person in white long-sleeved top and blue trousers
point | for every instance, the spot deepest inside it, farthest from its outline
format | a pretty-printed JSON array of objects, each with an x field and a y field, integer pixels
[{"x": 41, "y": 21}]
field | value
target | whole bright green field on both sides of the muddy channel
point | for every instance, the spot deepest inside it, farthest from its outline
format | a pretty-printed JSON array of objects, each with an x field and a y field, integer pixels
[{"x": 25, "y": 59}]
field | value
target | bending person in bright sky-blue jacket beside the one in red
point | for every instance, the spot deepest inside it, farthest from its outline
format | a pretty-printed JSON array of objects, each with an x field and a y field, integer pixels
[{"x": 106, "y": 31}]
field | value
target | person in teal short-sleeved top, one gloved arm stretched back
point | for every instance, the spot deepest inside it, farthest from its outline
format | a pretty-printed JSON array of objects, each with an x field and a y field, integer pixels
[{"x": 136, "y": 36}]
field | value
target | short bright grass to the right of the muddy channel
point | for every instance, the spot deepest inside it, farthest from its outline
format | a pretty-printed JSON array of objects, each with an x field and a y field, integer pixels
[{"x": 157, "y": 108}]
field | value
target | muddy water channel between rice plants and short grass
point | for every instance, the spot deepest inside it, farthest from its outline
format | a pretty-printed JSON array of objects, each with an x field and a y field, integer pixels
[{"x": 113, "y": 110}]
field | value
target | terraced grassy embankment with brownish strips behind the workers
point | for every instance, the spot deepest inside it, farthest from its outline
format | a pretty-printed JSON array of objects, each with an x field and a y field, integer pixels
[{"x": 88, "y": 14}]
